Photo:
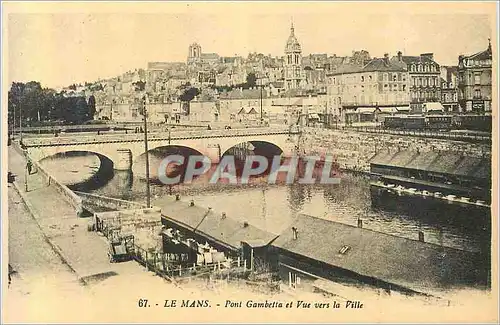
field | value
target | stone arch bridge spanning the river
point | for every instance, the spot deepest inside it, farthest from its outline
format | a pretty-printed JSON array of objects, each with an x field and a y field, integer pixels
[{"x": 124, "y": 149}]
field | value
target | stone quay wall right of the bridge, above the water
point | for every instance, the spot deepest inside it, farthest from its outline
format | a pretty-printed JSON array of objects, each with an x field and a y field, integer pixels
[{"x": 353, "y": 150}]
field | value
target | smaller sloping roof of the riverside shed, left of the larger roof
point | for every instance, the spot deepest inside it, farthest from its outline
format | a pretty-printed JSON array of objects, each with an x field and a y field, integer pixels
[{"x": 225, "y": 230}]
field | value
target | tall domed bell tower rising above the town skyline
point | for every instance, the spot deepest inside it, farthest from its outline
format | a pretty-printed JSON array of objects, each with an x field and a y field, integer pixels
[{"x": 293, "y": 72}]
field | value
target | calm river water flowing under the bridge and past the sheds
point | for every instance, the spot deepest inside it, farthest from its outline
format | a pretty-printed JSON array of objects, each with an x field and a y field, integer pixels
[{"x": 272, "y": 207}]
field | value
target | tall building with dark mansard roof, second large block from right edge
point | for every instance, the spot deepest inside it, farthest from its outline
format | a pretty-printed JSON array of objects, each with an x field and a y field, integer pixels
[{"x": 424, "y": 79}]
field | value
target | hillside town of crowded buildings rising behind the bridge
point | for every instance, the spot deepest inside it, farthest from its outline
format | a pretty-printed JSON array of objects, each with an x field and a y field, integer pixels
[{"x": 326, "y": 89}]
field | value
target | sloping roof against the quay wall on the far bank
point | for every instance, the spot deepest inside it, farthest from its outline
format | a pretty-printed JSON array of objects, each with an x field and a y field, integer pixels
[{"x": 446, "y": 163}]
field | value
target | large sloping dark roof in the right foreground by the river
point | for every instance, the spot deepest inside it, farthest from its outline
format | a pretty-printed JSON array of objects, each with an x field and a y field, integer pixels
[{"x": 416, "y": 265}]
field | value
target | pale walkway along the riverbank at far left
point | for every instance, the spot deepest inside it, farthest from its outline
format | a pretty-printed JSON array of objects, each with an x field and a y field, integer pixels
[{"x": 84, "y": 252}]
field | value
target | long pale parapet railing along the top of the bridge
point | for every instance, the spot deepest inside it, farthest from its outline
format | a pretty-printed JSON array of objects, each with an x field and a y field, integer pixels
[{"x": 173, "y": 135}]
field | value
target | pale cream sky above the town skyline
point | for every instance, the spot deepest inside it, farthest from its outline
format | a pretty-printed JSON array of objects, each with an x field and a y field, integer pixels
[{"x": 63, "y": 44}]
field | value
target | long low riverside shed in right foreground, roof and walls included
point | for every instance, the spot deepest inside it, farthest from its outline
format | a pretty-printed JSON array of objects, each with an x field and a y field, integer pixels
[{"x": 316, "y": 250}]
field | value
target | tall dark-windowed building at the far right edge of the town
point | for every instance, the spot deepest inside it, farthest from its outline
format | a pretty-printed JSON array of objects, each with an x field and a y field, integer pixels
[{"x": 474, "y": 82}]
